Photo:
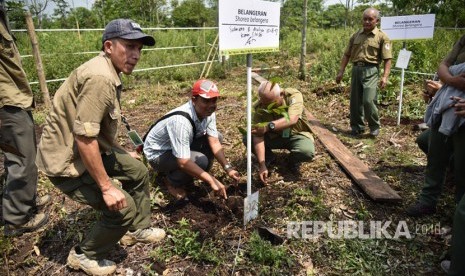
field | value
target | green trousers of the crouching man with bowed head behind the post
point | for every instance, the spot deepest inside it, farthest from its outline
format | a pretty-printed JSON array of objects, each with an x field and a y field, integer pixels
[{"x": 301, "y": 147}]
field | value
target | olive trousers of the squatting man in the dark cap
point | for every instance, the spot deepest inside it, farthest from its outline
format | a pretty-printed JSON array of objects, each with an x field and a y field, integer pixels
[{"x": 111, "y": 226}]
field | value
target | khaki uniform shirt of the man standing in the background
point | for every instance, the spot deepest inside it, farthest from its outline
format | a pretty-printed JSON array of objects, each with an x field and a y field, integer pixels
[{"x": 372, "y": 47}]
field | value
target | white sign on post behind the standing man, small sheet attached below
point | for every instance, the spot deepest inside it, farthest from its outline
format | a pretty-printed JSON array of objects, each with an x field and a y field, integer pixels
[{"x": 403, "y": 28}]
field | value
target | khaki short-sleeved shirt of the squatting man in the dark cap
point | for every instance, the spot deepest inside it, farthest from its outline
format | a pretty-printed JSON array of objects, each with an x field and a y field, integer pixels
[{"x": 86, "y": 104}]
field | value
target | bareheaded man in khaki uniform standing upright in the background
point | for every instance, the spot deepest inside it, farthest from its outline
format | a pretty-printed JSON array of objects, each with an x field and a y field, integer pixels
[{"x": 366, "y": 50}]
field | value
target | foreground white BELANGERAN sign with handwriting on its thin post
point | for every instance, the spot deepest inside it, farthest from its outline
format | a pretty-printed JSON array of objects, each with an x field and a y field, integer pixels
[{"x": 246, "y": 27}]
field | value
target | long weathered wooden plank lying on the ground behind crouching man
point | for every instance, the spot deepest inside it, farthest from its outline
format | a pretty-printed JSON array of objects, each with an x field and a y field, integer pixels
[{"x": 368, "y": 181}]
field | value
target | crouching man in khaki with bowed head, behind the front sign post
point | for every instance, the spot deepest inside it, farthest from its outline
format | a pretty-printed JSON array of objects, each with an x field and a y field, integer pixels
[{"x": 288, "y": 129}]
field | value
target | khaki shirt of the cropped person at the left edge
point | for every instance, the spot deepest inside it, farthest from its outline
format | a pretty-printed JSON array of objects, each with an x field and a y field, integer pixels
[{"x": 14, "y": 88}]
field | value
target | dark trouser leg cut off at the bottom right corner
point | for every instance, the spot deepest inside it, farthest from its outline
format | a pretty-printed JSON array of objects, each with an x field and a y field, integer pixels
[{"x": 458, "y": 241}]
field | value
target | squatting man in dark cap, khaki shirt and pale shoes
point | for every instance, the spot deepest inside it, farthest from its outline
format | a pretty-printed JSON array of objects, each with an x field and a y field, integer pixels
[{"x": 79, "y": 152}]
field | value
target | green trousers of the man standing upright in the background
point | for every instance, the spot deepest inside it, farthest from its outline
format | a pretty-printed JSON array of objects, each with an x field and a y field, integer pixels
[{"x": 363, "y": 97}]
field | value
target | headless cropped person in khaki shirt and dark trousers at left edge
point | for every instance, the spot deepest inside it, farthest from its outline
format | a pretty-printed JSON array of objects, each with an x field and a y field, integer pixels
[{"x": 18, "y": 140}]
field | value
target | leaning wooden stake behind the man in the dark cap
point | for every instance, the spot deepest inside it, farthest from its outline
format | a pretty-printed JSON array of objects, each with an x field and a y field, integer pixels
[{"x": 36, "y": 53}]
